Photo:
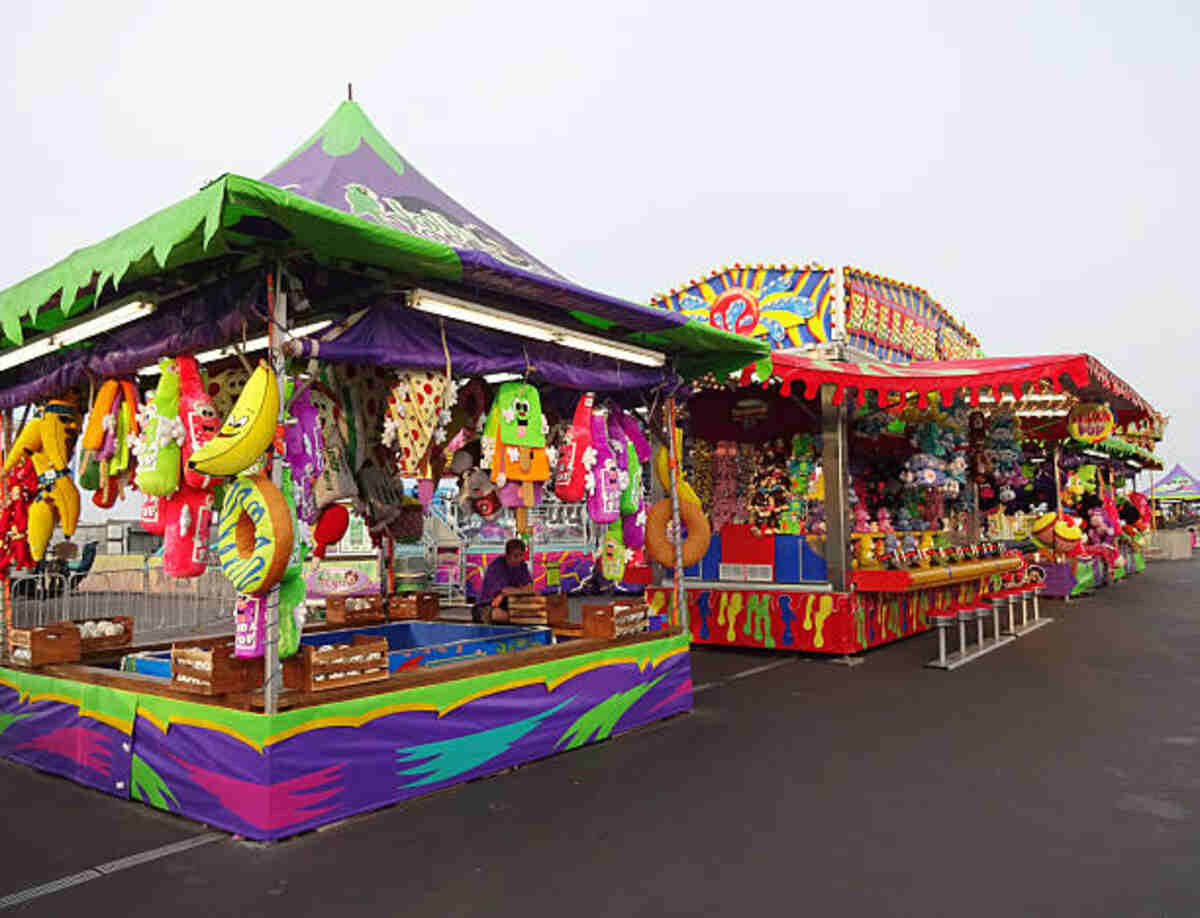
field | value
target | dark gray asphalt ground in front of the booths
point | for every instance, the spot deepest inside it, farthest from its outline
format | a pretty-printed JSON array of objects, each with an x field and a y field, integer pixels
[{"x": 1059, "y": 776}]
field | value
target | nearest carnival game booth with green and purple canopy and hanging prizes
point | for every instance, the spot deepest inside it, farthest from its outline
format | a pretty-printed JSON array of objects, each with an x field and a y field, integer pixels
[{"x": 389, "y": 297}]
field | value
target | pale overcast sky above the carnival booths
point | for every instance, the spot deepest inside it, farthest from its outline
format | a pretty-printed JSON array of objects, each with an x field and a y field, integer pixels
[{"x": 1033, "y": 165}]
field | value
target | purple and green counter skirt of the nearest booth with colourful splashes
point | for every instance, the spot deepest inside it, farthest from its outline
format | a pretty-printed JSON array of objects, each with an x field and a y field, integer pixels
[{"x": 333, "y": 754}]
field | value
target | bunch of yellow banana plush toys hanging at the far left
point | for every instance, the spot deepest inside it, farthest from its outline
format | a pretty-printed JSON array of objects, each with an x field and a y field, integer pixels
[{"x": 49, "y": 440}]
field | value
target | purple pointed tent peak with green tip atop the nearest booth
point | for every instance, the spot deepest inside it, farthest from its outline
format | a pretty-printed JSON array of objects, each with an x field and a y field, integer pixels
[{"x": 351, "y": 167}]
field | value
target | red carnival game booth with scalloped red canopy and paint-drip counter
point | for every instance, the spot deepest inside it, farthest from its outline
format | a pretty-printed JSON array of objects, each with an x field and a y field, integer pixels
[{"x": 845, "y": 496}]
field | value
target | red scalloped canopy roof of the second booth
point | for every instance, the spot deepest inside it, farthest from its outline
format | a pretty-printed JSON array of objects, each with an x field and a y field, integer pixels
[{"x": 1079, "y": 374}]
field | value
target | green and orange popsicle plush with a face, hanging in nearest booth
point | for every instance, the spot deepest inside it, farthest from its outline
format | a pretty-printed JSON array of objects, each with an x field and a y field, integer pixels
[{"x": 518, "y": 430}]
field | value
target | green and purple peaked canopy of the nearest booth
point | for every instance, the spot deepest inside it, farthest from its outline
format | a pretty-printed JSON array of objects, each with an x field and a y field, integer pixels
[{"x": 388, "y": 224}]
